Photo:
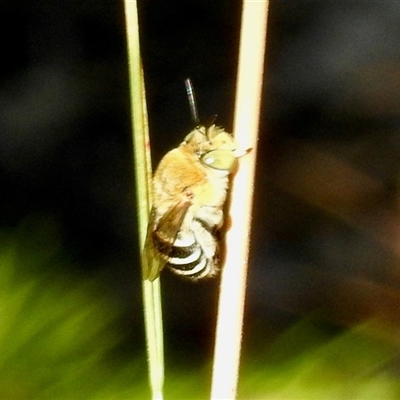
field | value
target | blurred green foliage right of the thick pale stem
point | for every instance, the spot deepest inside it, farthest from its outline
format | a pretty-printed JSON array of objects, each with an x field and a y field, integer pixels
[{"x": 308, "y": 363}]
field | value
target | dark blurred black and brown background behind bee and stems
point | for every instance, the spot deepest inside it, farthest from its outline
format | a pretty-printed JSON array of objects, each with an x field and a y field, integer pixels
[{"x": 326, "y": 237}]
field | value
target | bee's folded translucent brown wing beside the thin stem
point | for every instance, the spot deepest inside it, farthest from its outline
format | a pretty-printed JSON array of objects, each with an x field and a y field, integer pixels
[{"x": 167, "y": 228}]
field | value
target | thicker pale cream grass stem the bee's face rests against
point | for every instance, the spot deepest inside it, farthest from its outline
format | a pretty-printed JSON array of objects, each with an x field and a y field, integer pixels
[{"x": 234, "y": 273}]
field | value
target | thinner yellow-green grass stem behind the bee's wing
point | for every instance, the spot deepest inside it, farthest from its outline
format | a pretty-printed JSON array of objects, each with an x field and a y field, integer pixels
[{"x": 142, "y": 157}]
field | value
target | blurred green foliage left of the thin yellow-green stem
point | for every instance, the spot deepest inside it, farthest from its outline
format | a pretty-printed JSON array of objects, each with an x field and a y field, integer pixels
[{"x": 58, "y": 332}]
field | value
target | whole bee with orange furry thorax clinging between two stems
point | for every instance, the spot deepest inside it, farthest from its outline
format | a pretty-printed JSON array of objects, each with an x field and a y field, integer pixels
[{"x": 189, "y": 191}]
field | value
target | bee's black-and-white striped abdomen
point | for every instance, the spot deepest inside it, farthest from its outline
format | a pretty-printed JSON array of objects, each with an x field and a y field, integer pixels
[{"x": 192, "y": 254}]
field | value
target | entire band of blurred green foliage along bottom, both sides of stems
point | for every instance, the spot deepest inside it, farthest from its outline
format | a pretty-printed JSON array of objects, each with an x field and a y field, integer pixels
[{"x": 60, "y": 339}]
